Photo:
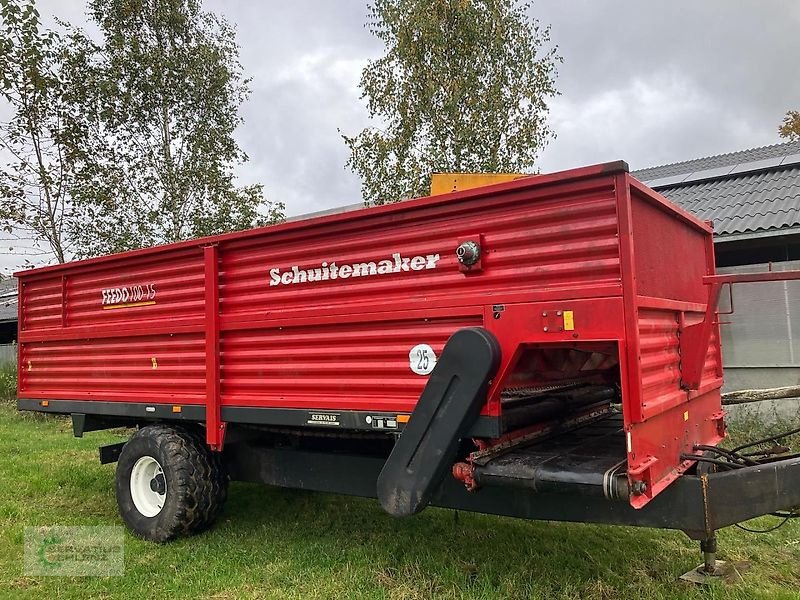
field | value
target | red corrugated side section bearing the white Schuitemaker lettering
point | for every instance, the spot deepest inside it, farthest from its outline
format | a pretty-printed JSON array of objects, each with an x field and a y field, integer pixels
[{"x": 345, "y": 343}]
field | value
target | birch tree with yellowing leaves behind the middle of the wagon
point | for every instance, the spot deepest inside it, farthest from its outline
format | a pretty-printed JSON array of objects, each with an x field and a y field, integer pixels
[{"x": 463, "y": 86}]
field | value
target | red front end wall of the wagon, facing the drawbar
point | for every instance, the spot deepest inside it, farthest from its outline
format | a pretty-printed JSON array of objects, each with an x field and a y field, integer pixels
[{"x": 671, "y": 252}]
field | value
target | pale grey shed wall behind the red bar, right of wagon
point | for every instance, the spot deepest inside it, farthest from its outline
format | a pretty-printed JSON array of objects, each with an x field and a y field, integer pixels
[{"x": 761, "y": 339}]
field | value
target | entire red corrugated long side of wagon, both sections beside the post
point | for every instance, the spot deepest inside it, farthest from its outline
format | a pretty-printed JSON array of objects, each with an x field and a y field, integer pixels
[{"x": 334, "y": 343}]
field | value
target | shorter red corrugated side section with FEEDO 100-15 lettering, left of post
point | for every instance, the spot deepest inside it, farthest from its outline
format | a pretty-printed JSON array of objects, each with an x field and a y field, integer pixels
[{"x": 130, "y": 329}]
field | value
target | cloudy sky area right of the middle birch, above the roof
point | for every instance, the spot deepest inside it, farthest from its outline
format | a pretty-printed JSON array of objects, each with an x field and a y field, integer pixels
[{"x": 661, "y": 82}]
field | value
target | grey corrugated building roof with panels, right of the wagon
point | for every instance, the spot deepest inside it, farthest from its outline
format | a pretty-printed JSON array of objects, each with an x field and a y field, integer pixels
[{"x": 750, "y": 193}]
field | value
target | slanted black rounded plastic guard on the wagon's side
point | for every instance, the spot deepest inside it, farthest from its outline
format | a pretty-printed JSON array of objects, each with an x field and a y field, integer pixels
[{"x": 449, "y": 404}]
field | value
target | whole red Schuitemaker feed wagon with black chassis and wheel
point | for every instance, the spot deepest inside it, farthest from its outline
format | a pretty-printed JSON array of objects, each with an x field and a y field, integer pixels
[{"x": 544, "y": 348}]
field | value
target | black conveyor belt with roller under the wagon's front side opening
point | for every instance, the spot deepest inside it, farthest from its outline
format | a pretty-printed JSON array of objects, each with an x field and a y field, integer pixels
[{"x": 589, "y": 459}]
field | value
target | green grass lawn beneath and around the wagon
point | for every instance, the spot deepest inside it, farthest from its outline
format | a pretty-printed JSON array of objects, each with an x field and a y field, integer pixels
[{"x": 274, "y": 543}]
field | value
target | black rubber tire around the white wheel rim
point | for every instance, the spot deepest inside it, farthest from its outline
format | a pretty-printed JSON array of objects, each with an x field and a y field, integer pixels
[{"x": 197, "y": 485}]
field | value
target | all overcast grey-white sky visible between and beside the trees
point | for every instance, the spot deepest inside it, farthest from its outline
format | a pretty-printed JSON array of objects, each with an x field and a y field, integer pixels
[{"x": 647, "y": 82}]
